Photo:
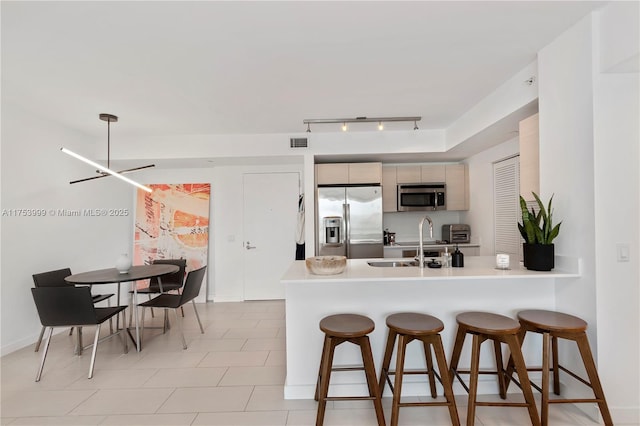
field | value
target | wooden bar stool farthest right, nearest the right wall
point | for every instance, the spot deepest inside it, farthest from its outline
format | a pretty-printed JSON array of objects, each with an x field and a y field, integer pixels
[{"x": 553, "y": 326}]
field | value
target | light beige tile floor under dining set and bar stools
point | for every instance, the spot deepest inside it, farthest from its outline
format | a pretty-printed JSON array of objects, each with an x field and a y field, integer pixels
[{"x": 231, "y": 375}]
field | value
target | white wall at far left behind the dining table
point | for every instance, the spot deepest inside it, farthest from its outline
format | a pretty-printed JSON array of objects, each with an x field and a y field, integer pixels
[{"x": 36, "y": 175}]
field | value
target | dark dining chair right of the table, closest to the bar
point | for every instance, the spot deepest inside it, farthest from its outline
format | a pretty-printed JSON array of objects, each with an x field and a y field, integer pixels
[{"x": 167, "y": 301}]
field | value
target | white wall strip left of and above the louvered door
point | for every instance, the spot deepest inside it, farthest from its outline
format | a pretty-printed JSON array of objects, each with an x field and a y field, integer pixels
[{"x": 480, "y": 213}]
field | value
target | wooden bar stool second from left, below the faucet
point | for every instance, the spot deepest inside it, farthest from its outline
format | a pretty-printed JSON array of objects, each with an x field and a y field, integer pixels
[{"x": 406, "y": 327}]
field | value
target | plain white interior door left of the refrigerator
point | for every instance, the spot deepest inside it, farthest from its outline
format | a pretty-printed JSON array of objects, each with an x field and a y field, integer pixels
[{"x": 270, "y": 215}]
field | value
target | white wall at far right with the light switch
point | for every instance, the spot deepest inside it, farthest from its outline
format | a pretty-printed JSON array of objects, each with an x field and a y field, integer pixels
[{"x": 616, "y": 159}]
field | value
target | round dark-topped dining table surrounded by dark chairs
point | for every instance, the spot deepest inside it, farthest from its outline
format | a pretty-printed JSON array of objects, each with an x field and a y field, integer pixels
[{"x": 113, "y": 276}]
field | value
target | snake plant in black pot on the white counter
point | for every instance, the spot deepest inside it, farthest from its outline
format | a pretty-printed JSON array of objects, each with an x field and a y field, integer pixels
[{"x": 538, "y": 232}]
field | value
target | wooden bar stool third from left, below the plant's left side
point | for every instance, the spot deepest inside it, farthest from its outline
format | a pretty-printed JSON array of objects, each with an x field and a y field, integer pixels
[{"x": 500, "y": 329}]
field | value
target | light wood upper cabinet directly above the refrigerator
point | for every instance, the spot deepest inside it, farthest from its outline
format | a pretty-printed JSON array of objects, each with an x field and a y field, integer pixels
[{"x": 348, "y": 173}]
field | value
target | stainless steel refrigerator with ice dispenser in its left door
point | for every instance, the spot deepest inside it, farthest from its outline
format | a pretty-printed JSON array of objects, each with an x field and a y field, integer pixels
[{"x": 349, "y": 221}]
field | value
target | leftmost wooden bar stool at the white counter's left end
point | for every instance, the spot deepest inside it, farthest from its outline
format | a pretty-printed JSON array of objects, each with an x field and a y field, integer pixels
[{"x": 337, "y": 330}]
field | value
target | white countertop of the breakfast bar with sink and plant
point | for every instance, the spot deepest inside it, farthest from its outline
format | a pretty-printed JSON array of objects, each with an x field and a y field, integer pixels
[{"x": 476, "y": 267}]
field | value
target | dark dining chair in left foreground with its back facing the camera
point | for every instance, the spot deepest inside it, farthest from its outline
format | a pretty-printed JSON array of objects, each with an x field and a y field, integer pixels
[{"x": 73, "y": 307}]
